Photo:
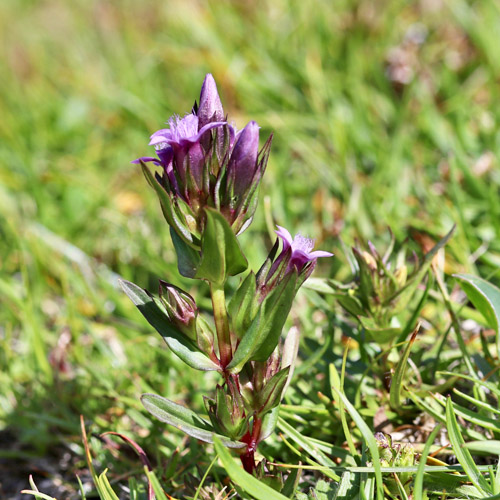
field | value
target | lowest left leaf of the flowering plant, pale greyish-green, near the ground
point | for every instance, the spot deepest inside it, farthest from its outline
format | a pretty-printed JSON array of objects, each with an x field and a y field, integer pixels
[{"x": 184, "y": 419}]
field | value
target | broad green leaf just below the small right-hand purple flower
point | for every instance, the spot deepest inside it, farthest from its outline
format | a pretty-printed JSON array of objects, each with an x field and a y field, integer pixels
[{"x": 263, "y": 335}]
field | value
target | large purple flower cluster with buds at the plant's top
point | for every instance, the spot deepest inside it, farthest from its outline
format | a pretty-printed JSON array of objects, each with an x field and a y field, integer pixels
[{"x": 206, "y": 162}]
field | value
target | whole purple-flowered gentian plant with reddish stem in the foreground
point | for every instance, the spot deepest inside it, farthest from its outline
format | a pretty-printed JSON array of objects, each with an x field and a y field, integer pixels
[{"x": 207, "y": 183}]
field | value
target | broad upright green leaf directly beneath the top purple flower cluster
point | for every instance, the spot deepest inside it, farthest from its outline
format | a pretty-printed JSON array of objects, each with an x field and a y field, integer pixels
[{"x": 221, "y": 255}]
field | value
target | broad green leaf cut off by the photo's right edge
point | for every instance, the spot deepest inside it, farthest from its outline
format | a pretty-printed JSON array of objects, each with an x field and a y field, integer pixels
[{"x": 486, "y": 299}]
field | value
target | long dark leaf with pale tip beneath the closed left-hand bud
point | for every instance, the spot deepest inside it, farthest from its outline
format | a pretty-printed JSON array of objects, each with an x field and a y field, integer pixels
[{"x": 178, "y": 343}]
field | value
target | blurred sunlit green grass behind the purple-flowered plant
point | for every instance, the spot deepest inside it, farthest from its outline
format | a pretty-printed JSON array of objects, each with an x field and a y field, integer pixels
[{"x": 385, "y": 113}]
